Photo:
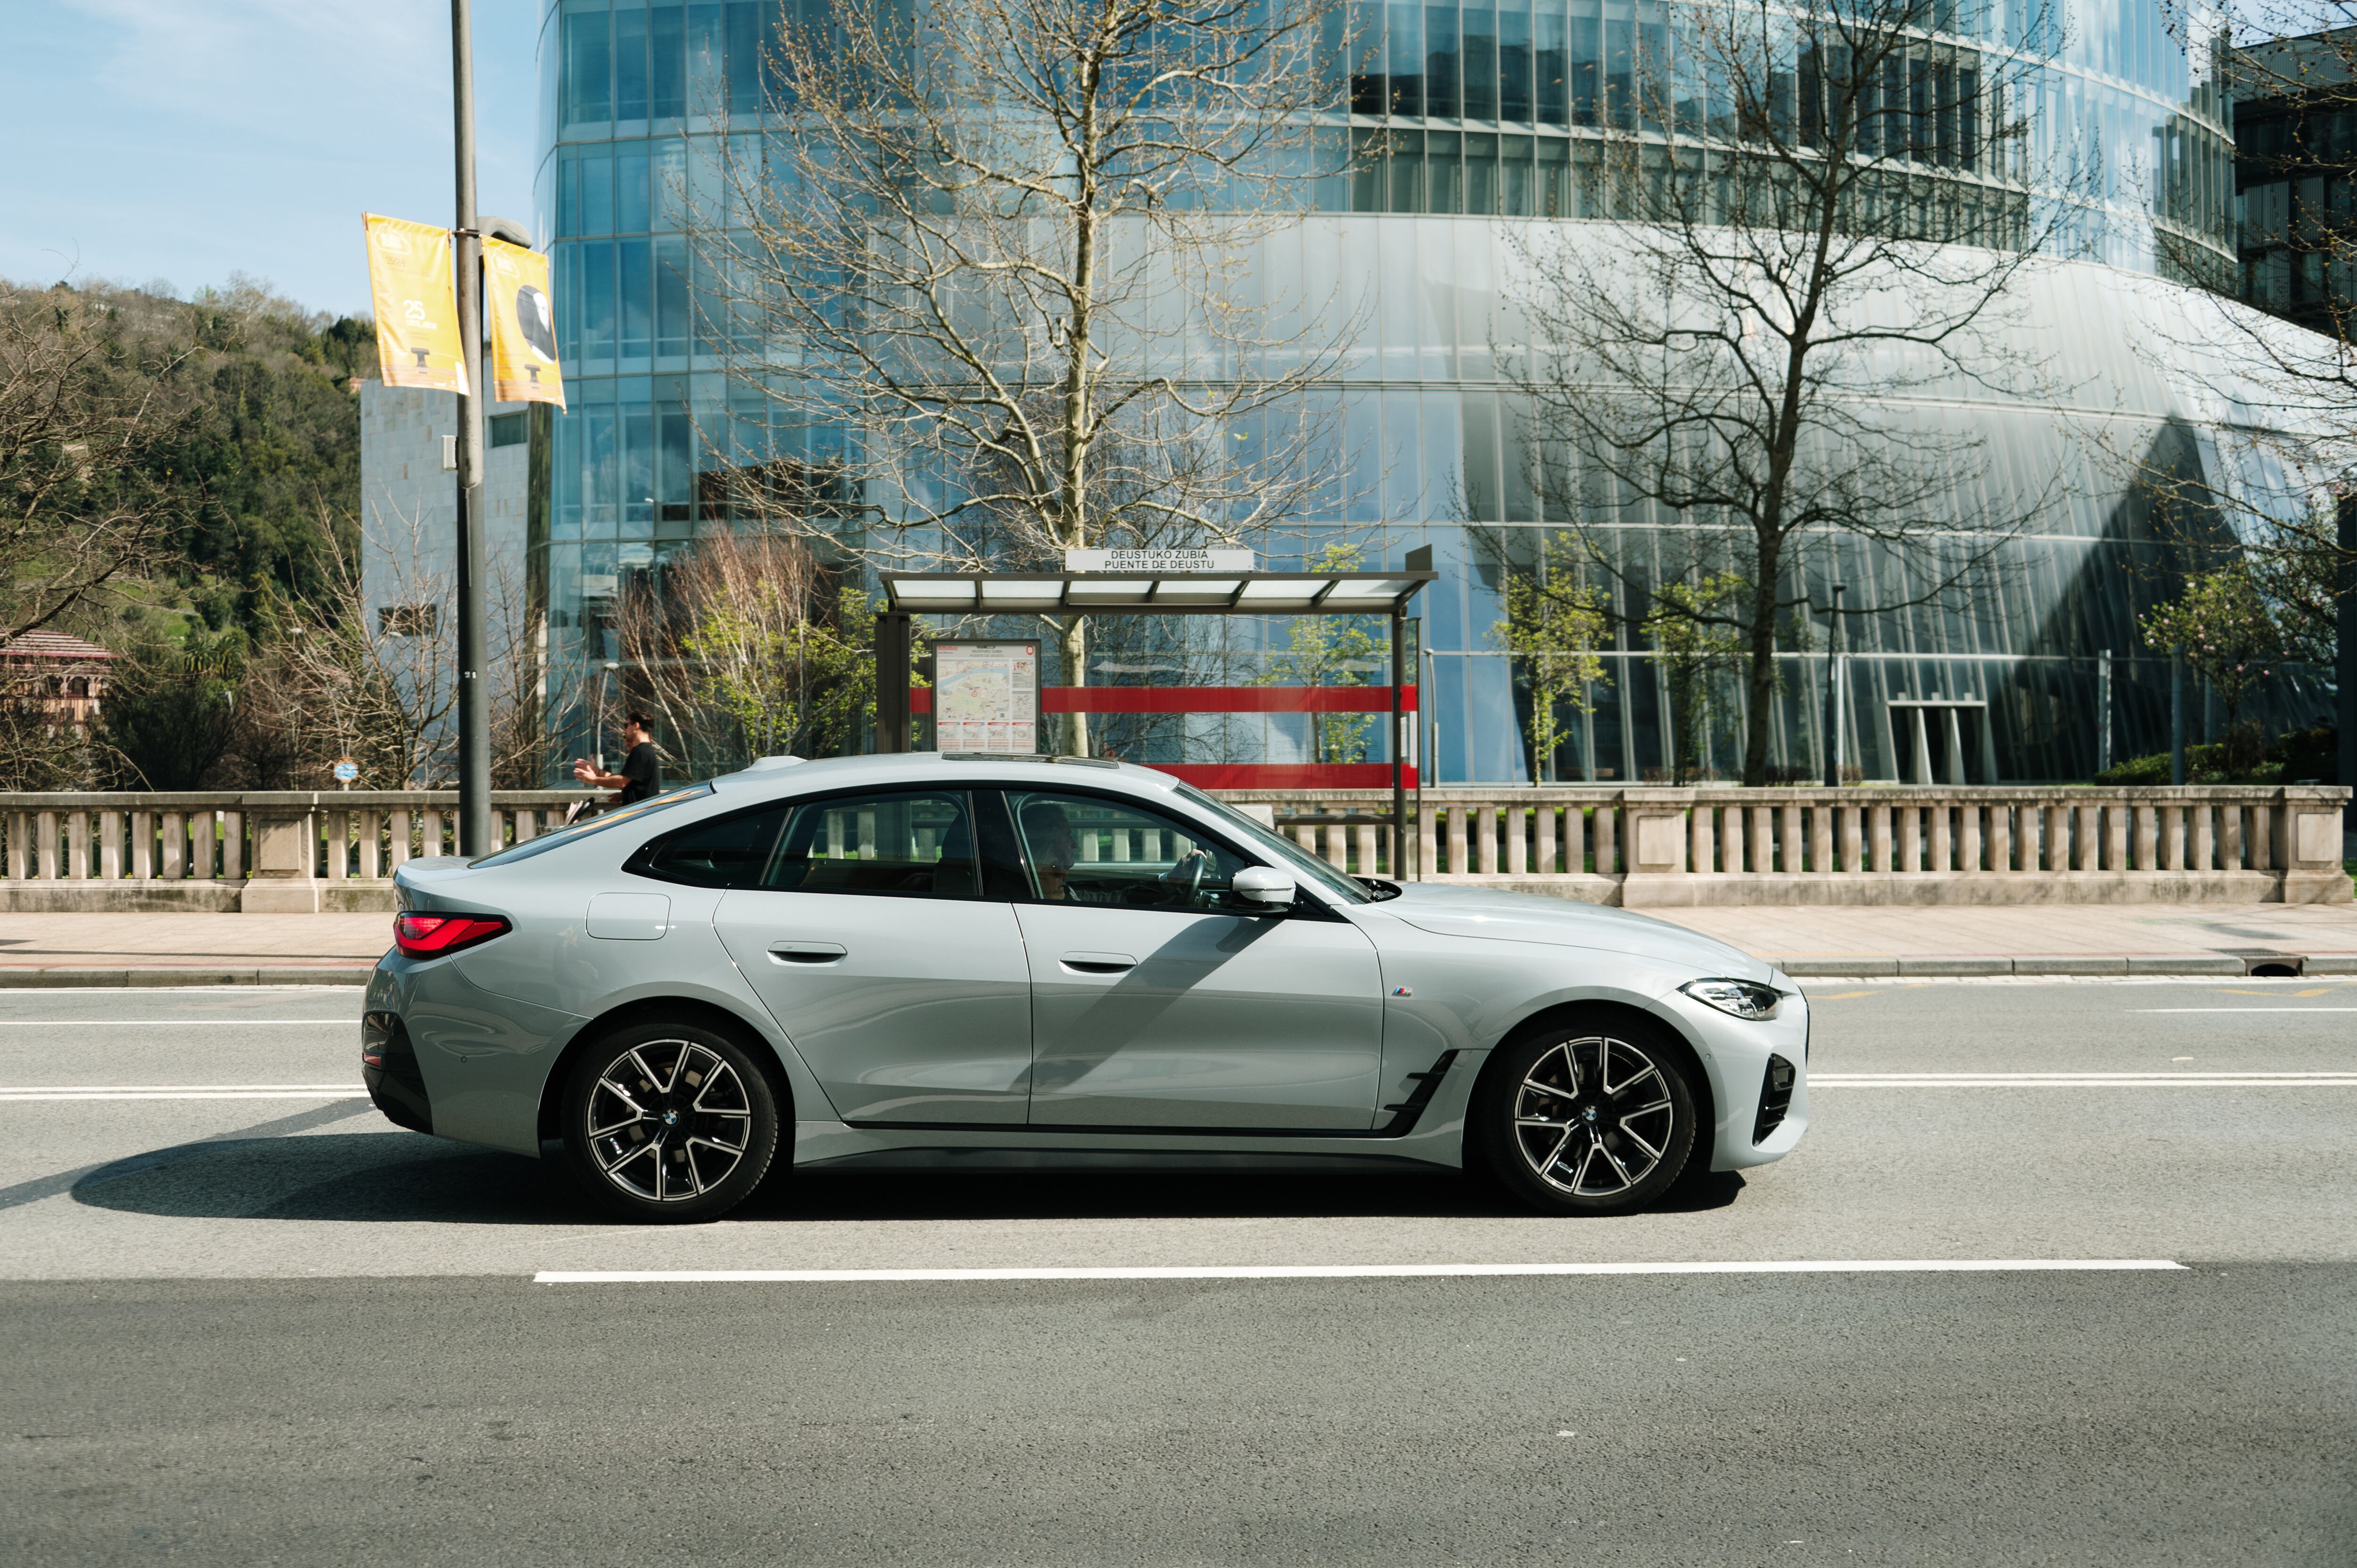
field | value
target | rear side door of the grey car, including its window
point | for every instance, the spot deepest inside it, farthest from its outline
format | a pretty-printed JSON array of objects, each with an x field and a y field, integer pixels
[{"x": 861, "y": 923}]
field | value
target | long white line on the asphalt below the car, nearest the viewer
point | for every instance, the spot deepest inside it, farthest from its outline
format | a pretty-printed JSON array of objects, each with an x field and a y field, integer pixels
[{"x": 1335, "y": 1272}]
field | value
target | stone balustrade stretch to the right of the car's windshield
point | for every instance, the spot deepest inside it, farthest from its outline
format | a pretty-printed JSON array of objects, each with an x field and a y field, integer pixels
[{"x": 1868, "y": 845}]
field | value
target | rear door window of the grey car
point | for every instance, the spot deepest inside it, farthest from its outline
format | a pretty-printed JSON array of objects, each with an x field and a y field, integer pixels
[{"x": 890, "y": 843}]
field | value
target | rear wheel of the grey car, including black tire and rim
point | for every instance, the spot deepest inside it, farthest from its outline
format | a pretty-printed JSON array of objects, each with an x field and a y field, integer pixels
[{"x": 668, "y": 1124}]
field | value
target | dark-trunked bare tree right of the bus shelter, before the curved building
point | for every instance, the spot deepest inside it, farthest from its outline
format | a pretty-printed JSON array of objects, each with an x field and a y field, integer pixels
[{"x": 1823, "y": 213}]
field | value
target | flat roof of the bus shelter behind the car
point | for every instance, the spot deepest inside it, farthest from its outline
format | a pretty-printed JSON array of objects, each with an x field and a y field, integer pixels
[{"x": 1239, "y": 593}]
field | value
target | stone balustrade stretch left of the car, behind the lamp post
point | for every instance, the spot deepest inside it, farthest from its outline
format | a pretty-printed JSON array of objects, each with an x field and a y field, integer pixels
[{"x": 268, "y": 852}]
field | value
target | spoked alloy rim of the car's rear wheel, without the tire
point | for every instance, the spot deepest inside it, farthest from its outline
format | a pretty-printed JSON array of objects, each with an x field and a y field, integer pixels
[{"x": 668, "y": 1121}]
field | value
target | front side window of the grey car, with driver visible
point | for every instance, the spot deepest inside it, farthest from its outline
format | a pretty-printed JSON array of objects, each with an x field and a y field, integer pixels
[{"x": 1095, "y": 850}]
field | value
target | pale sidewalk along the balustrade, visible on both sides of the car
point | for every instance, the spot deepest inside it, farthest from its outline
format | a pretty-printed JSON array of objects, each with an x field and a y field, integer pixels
[{"x": 1807, "y": 942}]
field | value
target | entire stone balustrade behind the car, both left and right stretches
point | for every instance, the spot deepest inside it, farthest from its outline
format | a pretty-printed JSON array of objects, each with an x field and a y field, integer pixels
[{"x": 298, "y": 852}]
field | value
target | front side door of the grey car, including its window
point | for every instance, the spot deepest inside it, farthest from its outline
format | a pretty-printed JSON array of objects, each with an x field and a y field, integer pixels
[{"x": 1161, "y": 1003}]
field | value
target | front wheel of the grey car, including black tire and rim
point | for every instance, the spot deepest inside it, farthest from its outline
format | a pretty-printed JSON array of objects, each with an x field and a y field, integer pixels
[{"x": 1571, "y": 1140}]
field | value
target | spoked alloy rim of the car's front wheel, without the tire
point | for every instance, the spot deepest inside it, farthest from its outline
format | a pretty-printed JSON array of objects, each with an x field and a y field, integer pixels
[{"x": 1595, "y": 1116}]
